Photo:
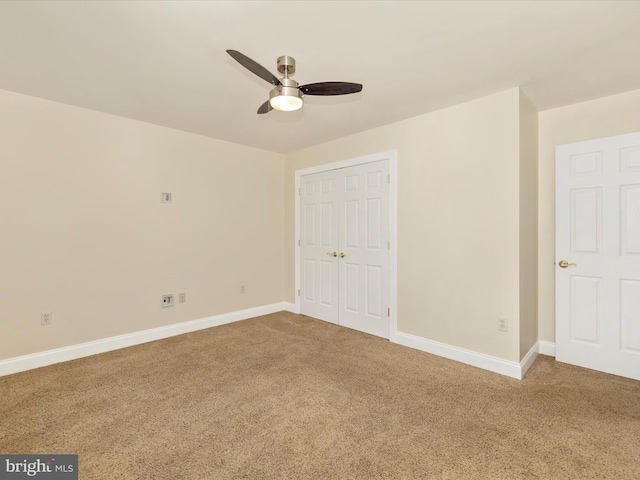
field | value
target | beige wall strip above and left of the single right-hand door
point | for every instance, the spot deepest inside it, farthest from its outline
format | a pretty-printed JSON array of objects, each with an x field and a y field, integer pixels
[{"x": 604, "y": 117}]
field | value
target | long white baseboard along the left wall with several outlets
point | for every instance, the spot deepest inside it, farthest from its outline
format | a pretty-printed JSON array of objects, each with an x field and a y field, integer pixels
[{"x": 50, "y": 357}]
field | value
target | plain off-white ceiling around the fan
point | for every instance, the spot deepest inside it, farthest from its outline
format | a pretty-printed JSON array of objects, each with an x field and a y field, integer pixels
[{"x": 164, "y": 62}]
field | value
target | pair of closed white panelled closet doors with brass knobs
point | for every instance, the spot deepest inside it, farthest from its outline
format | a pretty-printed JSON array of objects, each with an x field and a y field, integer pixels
[{"x": 344, "y": 247}]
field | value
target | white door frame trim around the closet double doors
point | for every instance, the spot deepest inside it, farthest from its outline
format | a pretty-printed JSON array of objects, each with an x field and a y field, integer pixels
[{"x": 390, "y": 155}]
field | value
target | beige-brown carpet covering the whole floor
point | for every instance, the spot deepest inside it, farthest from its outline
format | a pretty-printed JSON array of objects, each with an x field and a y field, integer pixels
[{"x": 286, "y": 396}]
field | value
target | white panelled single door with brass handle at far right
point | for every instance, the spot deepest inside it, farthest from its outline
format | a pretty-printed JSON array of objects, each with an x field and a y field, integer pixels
[{"x": 598, "y": 236}]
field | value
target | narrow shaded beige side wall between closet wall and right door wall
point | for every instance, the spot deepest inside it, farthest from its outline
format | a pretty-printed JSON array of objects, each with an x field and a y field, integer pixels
[{"x": 528, "y": 225}]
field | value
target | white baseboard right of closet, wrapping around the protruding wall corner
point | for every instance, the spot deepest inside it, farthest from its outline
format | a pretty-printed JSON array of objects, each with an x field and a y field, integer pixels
[{"x": 475, "y": 359}]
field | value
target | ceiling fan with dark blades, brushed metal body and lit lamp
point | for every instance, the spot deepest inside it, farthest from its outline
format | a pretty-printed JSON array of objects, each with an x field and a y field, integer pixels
[{"x": 287, "y": 94}]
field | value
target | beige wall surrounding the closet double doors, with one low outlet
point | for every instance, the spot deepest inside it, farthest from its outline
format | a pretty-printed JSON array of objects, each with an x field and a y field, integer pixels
[{"x": 458, "y": 220}]
